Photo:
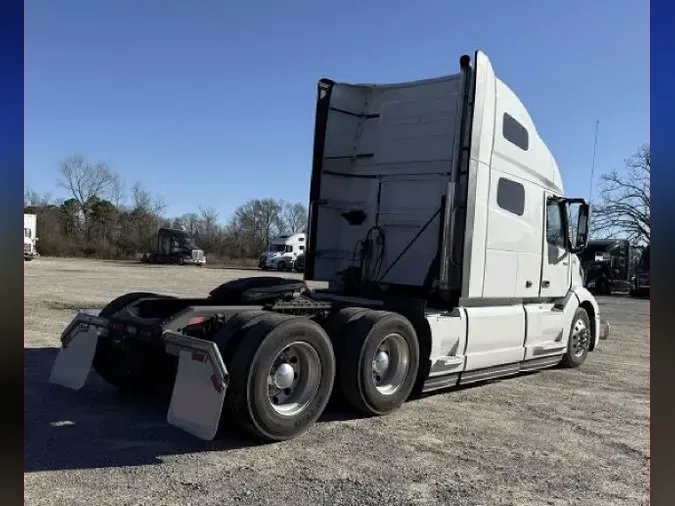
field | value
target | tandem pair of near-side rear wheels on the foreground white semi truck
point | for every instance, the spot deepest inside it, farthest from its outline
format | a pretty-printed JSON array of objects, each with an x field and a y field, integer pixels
[{"x": 284, "y": 369}]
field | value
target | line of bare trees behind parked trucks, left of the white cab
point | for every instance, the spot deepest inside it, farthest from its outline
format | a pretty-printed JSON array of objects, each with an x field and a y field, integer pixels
[{"x": 101, "y": 219}]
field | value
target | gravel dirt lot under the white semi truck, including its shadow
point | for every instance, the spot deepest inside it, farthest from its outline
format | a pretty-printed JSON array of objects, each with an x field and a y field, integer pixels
[{"x": 554, "y": 437}]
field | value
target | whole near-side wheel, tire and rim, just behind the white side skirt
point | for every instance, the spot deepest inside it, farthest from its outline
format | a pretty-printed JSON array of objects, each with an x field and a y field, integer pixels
[{"x": 379, "y": 363}]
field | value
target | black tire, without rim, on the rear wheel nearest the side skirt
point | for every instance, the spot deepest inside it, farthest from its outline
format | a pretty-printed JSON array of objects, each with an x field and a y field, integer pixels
[{"x": 355, "y": 369}]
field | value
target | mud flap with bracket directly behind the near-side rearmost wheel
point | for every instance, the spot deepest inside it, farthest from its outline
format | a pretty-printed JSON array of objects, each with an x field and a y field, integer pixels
[{"x": 200, "y": 386}]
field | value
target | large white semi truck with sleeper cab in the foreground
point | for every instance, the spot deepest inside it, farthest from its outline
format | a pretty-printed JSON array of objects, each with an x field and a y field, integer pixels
[{"x": 437, "y": 217}]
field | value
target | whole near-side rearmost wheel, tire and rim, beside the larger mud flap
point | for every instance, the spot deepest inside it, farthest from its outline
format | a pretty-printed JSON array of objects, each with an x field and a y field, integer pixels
[{"x": 281, "y": 377}]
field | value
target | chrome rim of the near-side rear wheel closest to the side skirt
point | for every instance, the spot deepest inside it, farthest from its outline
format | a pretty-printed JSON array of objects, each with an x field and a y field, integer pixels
[{"x": 390, "y": 364}]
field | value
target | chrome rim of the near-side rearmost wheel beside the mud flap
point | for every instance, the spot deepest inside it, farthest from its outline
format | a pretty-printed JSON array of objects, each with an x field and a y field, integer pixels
[{"x": 294, "y": 378}]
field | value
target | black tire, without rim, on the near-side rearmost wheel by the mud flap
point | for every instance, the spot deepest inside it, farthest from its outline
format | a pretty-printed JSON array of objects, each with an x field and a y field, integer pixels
[{"x": 255, "y": 354}]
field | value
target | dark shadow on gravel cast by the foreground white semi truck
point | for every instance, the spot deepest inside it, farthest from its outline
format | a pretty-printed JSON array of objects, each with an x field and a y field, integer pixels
[{"x": 98, "y": 427}]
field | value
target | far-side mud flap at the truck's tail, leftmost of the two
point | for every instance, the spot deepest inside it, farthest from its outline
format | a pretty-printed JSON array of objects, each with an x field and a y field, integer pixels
[{"x": 73, "y": 363}]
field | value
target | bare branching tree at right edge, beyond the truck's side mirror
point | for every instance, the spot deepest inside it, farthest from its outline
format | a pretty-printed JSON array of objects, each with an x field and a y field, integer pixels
[{"x": 624, "y": 208}]
